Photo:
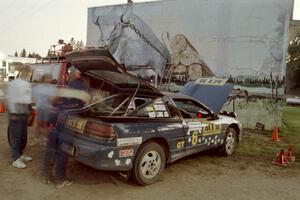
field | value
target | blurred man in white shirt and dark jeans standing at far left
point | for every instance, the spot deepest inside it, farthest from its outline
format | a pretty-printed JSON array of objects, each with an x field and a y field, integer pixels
[{"x": 19, "y": 99}]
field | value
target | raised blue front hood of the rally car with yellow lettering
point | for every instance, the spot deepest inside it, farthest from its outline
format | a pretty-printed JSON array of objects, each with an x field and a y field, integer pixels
[{"x": 212, "y": 92}]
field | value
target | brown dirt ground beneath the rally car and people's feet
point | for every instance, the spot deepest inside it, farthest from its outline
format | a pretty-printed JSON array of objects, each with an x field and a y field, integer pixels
[{"x": 202, "y": 176}]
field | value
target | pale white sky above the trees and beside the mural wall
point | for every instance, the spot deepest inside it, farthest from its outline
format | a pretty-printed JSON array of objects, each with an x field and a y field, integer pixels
[{"x": 37, "y": 24}]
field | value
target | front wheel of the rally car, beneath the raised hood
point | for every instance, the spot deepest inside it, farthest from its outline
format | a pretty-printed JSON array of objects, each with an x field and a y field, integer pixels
[{"x": 230, "y": 142}]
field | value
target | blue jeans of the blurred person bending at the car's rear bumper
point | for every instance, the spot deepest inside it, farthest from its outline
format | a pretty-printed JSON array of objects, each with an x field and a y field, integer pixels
[{"x": 54, "y": 156}]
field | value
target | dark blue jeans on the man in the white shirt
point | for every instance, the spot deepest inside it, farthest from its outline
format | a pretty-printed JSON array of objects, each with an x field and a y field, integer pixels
[{"x": 17, "y": 133}]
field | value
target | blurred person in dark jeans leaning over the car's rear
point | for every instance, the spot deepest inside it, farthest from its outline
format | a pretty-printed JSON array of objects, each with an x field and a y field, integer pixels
[{"x": 53, "y": 149}]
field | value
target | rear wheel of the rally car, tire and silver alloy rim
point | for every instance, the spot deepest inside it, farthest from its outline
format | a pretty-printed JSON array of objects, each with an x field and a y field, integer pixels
[{"x": 149, "y": 163}]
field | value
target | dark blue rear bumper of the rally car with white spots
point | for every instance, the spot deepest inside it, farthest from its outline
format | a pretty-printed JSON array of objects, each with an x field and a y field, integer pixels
[{"x": 93, "y": 154}]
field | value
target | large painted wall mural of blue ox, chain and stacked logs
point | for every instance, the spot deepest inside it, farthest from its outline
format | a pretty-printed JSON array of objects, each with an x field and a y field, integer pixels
[{"x": 179, "y": 41}]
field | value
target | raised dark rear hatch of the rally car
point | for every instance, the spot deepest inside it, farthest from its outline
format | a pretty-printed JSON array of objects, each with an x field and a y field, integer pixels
[{"x": 100, "y": 64}]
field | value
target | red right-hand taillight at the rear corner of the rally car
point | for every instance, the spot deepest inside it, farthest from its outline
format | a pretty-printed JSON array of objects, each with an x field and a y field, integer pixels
[{"x": 100, "y": 130}]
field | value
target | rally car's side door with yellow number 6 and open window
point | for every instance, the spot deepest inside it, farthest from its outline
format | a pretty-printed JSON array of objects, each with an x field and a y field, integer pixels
[{"x": 200, "y": 131}]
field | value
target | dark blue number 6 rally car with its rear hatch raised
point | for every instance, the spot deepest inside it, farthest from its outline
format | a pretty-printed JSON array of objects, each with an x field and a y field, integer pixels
[{"x": 133, "y": 127}]
